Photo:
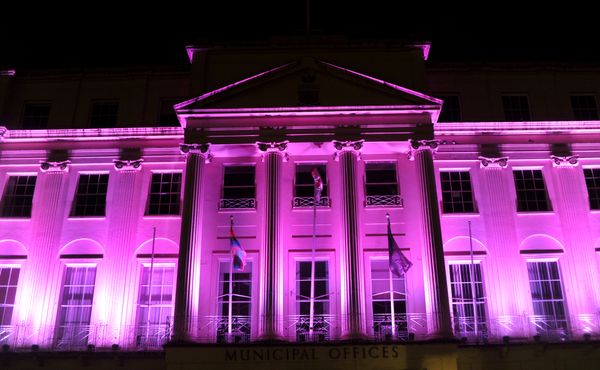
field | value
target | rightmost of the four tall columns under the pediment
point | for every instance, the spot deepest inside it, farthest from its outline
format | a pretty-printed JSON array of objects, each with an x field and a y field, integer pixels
[{"x": 434, "y": 269}]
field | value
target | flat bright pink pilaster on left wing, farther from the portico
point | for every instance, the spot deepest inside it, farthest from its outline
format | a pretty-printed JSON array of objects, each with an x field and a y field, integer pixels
[{"x": 43, "y": 287}]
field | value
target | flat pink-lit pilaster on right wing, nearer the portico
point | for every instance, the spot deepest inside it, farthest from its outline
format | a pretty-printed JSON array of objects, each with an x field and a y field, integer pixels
[{"x": 506, "y": 301}]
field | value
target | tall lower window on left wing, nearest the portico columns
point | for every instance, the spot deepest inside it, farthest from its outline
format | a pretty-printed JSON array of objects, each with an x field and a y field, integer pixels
[{"x": 155, "y": 306}]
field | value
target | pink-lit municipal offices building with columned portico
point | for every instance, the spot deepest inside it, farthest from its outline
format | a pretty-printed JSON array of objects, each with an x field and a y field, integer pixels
[{"x": 115, "y": 233}]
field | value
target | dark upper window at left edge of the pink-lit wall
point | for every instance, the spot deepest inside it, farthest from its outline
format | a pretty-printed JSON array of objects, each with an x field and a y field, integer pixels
[{"x": 18, "y": 196}]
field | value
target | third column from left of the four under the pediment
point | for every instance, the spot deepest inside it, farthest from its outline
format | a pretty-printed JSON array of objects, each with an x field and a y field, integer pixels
[{"x": 352, "y": 277}]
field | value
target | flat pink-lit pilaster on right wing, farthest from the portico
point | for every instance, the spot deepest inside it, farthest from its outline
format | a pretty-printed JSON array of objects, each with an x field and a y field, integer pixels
[{"x": 578, "y": 264}]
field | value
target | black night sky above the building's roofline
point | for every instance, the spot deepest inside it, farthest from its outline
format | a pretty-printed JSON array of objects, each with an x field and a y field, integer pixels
[{"x": 109, "y": 34}]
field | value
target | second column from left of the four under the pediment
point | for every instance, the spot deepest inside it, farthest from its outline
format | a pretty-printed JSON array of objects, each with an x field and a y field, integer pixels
[{"x": 271, "y": 256}]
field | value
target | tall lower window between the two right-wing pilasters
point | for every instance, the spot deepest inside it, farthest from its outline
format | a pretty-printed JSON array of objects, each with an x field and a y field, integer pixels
[{"x": 547, "y": 297}]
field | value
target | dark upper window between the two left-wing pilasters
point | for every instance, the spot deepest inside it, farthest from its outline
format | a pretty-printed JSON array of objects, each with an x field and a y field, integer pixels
[{"x": 90, "y": 199}]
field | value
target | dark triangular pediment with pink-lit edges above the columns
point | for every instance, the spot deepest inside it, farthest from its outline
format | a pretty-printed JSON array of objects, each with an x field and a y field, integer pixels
[{"x": 306, "y": 83}]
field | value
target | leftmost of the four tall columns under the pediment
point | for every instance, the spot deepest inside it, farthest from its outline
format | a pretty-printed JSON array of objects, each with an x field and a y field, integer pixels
[{"x": 190, "y": 243}]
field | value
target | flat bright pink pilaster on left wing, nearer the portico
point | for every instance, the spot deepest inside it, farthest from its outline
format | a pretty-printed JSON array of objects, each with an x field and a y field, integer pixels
[{"x": 122, "y": 230}]
